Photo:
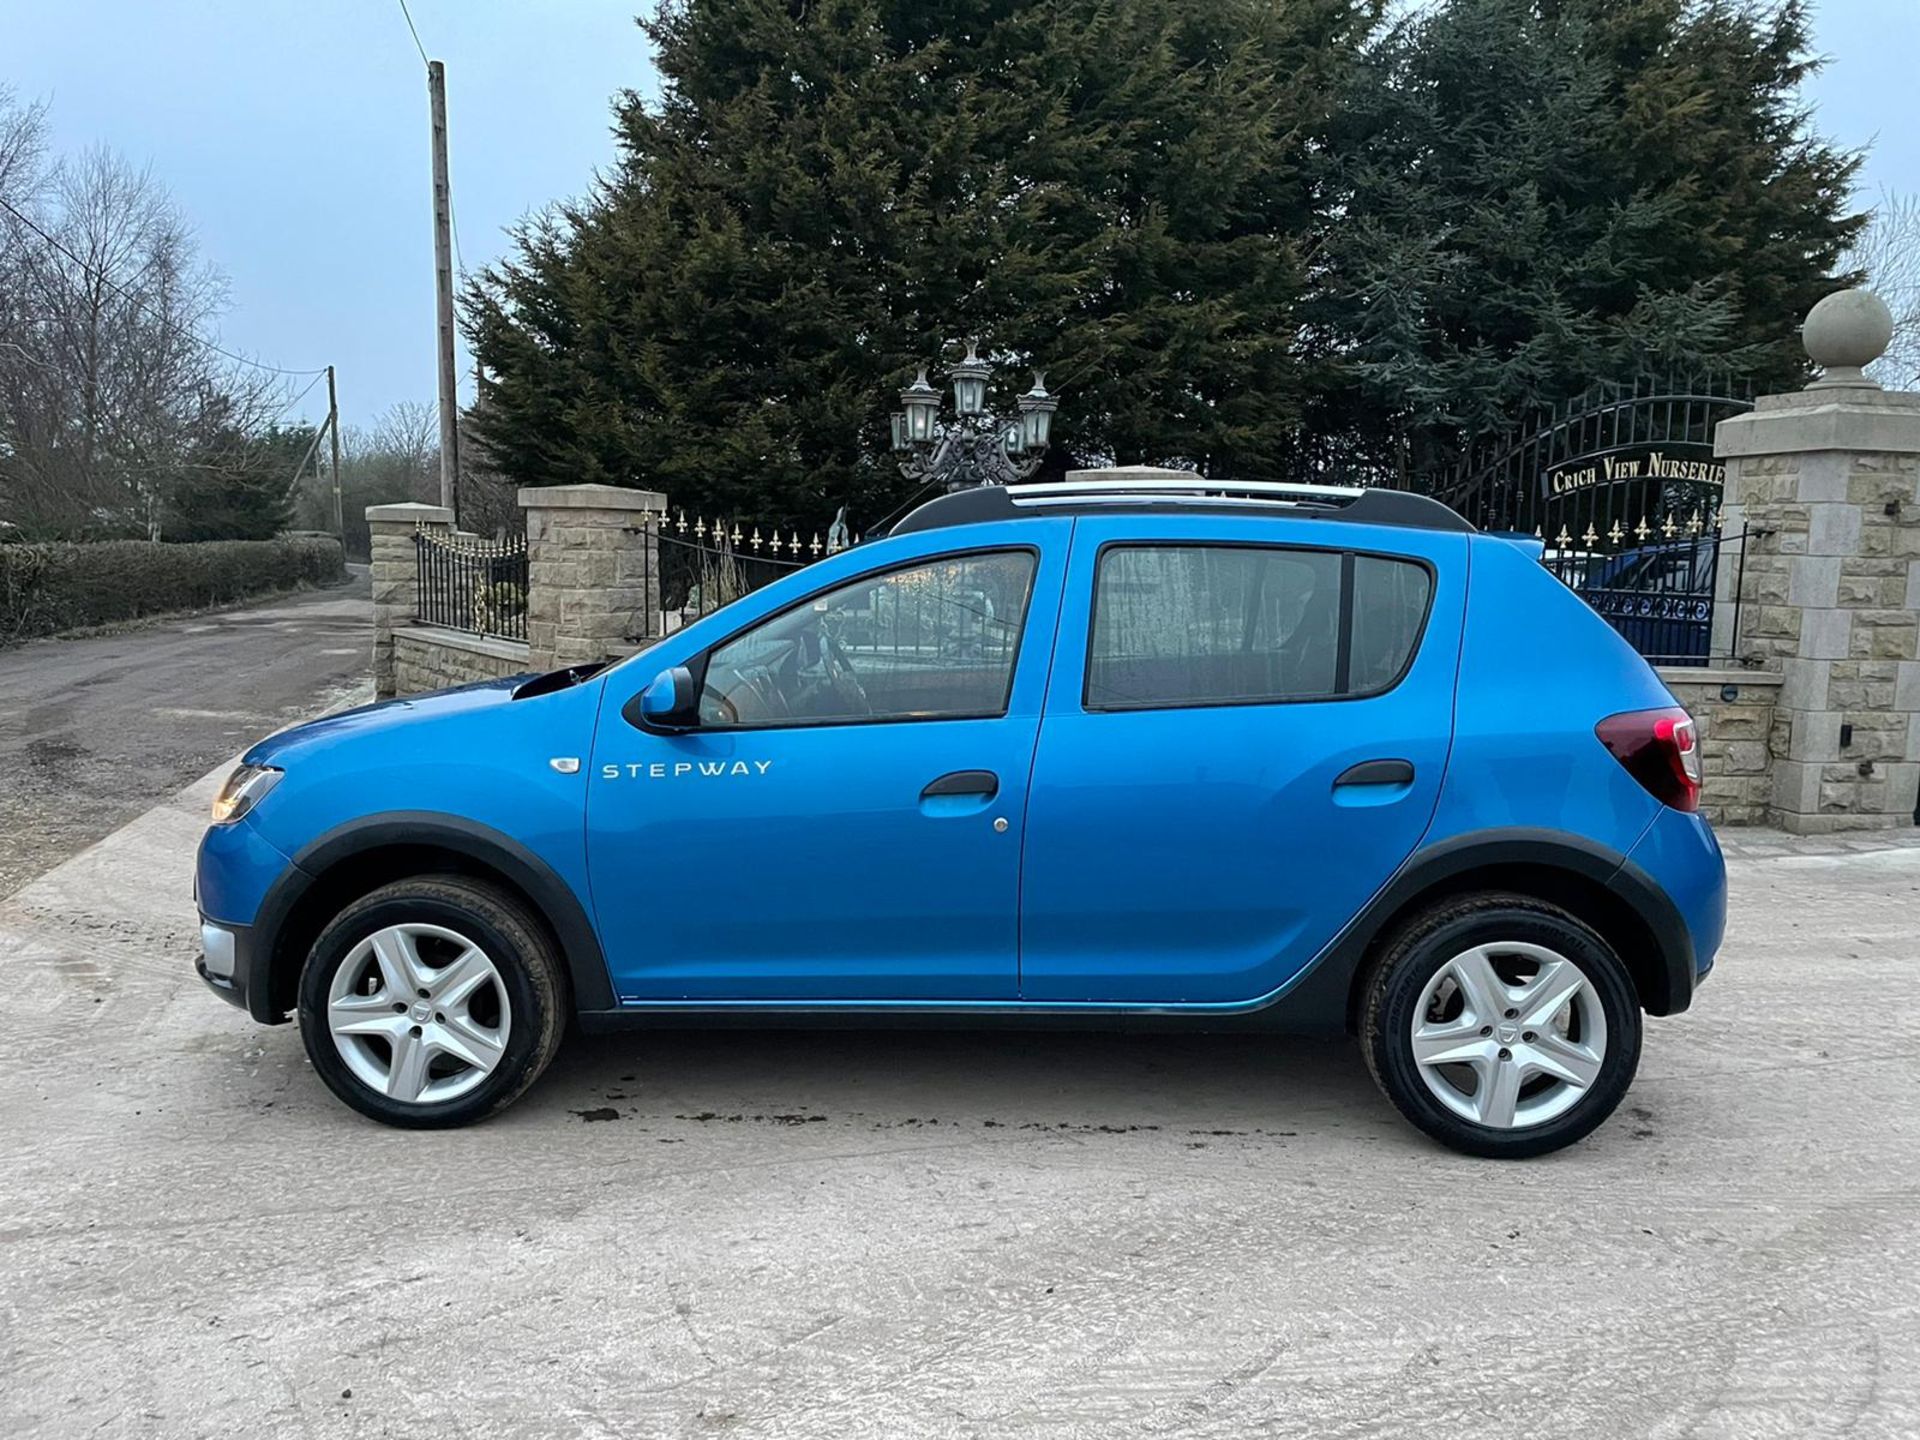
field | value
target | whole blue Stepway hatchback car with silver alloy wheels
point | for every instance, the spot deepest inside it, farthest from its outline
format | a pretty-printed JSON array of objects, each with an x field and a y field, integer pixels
[{"x": 1176, "y": 754}]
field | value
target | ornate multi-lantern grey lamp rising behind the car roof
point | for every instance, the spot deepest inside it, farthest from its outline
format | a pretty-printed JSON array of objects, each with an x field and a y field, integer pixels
[{"x": 976, "y": 448}]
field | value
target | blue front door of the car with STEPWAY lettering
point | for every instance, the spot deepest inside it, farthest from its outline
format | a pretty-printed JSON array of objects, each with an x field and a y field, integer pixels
[{"x": 846, "y": 821}]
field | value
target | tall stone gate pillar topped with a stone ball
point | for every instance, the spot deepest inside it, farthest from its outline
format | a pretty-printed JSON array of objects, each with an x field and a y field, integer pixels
[{"x": 1831, "y": 592}]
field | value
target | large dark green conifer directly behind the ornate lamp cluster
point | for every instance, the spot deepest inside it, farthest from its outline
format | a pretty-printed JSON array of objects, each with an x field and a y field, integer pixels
[{"x": 832, "y": 195}]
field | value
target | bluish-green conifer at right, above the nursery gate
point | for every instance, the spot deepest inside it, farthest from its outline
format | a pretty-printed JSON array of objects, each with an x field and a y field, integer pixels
[{"x": 1545, "y": 193}]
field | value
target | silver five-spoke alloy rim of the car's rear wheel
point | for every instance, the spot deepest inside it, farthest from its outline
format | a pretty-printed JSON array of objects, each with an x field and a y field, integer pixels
[{"x": 1510, "y": 1036}]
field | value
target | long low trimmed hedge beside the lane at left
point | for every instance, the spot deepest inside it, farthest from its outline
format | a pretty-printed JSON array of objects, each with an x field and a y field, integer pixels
[{"x": 66, "y": 587}]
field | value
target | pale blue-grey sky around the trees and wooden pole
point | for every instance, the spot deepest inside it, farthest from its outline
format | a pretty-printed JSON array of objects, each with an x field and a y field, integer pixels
[{"x": 295, "y": 139}]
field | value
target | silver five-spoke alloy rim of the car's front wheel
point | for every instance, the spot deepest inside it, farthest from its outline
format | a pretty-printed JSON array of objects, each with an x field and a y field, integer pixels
[{"x": 420, "y": 1013}]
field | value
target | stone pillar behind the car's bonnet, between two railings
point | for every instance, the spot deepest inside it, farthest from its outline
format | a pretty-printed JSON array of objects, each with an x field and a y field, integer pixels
[{"x": 590, "y": 569}]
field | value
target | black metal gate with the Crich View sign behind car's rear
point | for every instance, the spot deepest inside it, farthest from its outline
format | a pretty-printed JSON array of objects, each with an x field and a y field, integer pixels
[{"x": 1621, "y": 489}]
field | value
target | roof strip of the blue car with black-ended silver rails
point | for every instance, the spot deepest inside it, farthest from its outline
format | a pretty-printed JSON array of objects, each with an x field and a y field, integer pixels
[{"x": 1184, "y": 496}]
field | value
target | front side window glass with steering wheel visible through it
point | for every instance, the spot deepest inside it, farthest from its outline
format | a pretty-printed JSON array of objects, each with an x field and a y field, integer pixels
[{"x": 934, "y": 640}]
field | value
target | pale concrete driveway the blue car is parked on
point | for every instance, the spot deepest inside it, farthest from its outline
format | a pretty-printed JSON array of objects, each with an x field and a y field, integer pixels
[{"x": 959, "y": 1236}]
